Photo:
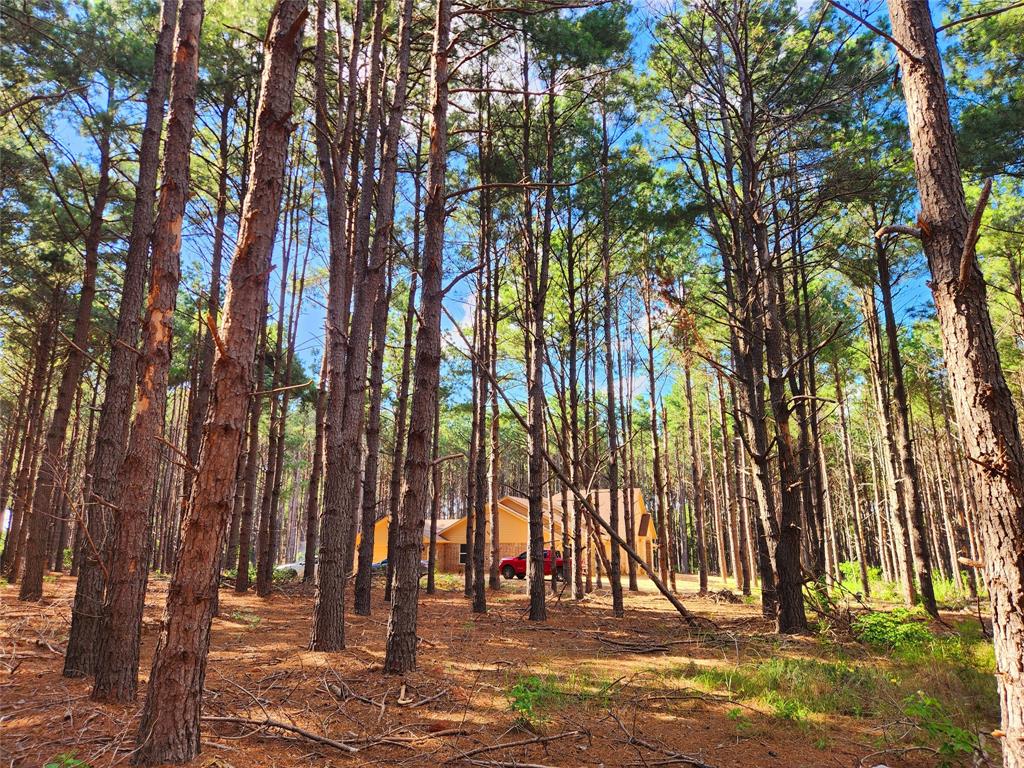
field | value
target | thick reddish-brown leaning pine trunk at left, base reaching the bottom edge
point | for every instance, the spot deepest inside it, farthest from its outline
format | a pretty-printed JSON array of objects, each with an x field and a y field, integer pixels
[{"x": 170, "y": 724}]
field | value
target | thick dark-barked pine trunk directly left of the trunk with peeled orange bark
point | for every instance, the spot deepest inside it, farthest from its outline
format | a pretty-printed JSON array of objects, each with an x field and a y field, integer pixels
[{"x": 112, "y": 433}]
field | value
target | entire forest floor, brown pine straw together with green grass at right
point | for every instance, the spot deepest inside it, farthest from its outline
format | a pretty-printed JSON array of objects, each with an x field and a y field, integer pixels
[{"x": 582, "y": 690}]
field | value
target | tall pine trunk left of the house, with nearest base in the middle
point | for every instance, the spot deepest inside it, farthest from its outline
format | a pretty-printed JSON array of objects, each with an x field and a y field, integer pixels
[{"x": 401, "y": 645}]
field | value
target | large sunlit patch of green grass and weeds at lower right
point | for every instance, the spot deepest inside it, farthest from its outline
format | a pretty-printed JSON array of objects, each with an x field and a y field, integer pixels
[{"x": 941, "y": 685}]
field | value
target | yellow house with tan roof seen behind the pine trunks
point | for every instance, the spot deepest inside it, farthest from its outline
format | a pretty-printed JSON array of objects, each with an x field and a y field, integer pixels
[{"x": 514, "y": 529}]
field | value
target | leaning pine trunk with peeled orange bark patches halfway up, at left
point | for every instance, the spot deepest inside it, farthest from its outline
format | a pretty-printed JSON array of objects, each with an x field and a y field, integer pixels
[{"x": 117, "y": 669}]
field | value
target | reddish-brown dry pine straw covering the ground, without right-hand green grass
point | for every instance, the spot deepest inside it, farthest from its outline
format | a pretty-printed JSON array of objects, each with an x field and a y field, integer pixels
[{"x": 271, "y": 703}]
